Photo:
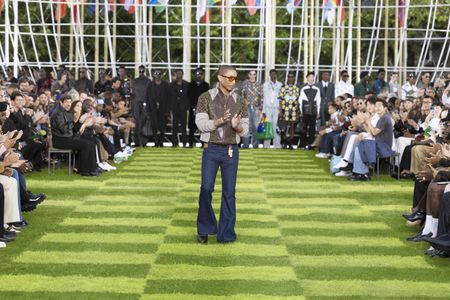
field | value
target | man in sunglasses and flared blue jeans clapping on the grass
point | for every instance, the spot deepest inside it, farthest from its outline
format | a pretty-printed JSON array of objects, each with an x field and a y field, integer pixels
[{"x": 221, "y": 117}]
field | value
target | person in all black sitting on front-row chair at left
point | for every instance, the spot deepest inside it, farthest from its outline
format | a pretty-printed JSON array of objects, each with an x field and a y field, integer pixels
[{"x": 62, "y": 136}]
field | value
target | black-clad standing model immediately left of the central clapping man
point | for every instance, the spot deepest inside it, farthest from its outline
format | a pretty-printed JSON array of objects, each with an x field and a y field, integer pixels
[{"x": 196, "y": 88}]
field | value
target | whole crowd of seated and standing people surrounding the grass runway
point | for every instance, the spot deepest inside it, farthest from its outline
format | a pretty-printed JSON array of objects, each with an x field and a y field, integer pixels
[{"x": 352, "y": 125}]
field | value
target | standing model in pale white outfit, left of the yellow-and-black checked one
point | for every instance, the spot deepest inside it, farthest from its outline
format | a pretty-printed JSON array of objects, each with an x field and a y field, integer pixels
[{"x": 271, "y": 106}]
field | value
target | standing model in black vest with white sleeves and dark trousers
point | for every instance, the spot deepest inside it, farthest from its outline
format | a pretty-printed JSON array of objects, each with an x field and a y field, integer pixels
[{"x": 309, "y": 102}]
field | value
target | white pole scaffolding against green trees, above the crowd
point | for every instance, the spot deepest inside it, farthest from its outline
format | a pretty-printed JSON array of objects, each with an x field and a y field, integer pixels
[{"x": 166, "y": 34}]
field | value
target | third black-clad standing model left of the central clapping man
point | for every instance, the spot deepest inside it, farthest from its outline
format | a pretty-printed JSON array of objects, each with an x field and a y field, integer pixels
[{"x": 158, "y": 104}]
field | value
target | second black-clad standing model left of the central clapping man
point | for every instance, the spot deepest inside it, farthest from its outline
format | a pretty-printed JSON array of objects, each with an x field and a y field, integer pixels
[{"x": 179, "y": 103}]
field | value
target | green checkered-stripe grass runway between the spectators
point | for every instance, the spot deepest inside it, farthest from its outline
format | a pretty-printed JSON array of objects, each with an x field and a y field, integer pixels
[{"x": 302, "y": 234}]
